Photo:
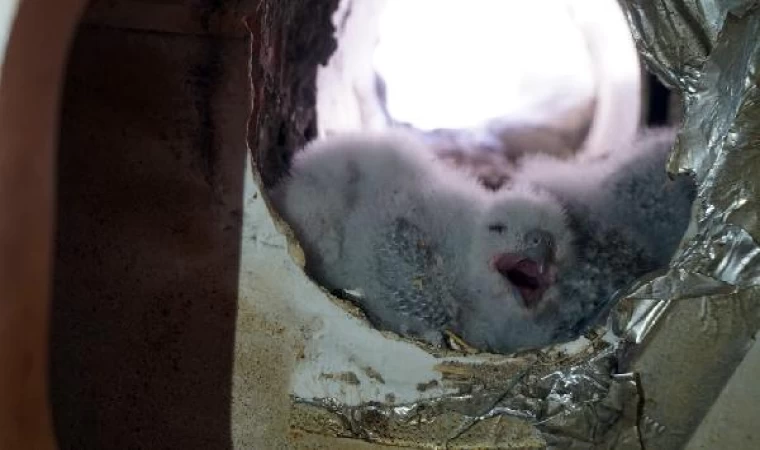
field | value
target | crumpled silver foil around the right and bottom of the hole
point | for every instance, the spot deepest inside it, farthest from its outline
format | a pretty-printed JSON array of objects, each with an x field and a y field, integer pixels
[{"x": 680, "y": 333}]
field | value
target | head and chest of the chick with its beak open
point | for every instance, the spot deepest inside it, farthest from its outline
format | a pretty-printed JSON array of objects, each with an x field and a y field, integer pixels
[{"x": 521, "y": 242}]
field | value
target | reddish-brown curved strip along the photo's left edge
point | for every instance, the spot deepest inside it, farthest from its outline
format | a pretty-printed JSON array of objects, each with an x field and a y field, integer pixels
[{"x": 29, "y": 93}]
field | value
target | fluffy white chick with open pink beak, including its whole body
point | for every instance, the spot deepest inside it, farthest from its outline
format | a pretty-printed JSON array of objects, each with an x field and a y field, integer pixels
[{"x": 427, "y": 247}]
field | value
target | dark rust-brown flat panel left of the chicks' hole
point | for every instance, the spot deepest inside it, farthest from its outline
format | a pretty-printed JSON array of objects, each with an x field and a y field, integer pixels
[{"x": 150, "y": 179}]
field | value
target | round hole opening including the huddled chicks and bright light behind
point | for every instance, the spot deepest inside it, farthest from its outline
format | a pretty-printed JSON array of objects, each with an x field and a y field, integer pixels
[{"x": 527, "y": 190}]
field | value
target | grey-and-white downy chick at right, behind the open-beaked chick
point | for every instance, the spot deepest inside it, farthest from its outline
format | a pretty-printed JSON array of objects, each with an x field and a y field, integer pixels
[{"x": 626, "y": 215}]
